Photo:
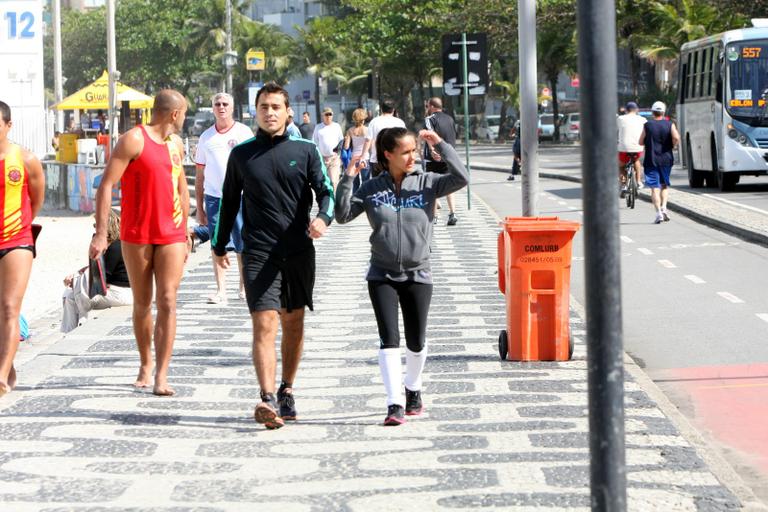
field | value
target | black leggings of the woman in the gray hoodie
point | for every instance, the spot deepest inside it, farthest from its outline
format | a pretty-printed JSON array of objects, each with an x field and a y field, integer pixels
[{"x": 414, "y": 298}]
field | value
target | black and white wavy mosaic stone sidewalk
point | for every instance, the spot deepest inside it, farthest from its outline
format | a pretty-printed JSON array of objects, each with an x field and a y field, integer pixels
[{"x": 495, "y": 434}]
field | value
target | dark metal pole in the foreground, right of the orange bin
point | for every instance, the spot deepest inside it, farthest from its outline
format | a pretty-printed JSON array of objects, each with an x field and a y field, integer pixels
[{"x": 597, "y": 68}]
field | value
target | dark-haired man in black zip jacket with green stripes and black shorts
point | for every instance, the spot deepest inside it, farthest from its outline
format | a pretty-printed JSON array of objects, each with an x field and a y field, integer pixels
[{"x": 276, "y": 175}]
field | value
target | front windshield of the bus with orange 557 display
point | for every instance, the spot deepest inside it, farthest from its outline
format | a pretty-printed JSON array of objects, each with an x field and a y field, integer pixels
[{"x": 747, "y": 80}]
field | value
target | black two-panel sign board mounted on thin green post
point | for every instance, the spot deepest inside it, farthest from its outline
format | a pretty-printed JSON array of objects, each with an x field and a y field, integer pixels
[{"x": 477, "y": 64}]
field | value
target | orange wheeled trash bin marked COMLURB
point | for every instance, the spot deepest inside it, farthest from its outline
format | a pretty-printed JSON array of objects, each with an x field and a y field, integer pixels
[{"x": 535, "y": 276}]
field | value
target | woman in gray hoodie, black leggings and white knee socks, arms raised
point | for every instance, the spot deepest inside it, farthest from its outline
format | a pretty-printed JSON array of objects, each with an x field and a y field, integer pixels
[{"x": 399, "y": 204}]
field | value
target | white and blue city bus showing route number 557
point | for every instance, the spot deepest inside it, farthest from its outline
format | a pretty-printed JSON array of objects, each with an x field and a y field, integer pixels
[{"x": 721, "y": 106}]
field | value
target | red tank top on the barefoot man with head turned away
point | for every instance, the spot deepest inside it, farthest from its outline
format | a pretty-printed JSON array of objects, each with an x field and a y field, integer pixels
[{"x": 151, "y": 207}]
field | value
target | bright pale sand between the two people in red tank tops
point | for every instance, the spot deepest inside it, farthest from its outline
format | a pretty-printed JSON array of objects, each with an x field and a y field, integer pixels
[{"x": 62, "y": 248}]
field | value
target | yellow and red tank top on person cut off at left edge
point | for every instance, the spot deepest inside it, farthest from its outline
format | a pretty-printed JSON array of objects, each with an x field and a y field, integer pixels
[{"x": 16, "y": 221}]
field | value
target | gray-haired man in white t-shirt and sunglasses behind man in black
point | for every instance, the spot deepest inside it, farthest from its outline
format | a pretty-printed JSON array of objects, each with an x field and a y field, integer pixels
[{"x": 211, "y": 162}]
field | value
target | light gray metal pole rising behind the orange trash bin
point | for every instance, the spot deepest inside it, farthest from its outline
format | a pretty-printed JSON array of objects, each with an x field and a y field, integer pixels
[{"x": 526, "y": 27}]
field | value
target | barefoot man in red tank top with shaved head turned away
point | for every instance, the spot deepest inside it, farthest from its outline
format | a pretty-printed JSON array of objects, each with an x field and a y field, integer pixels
[{"x": 153, "y": 227}]
